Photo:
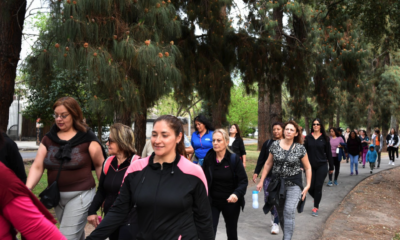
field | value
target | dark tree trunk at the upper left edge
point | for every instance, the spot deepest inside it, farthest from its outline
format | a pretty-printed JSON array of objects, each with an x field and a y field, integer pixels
[{"x": 11, "y": 25}]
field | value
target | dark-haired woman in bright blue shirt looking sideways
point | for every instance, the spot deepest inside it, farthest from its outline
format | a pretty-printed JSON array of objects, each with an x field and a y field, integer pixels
[{"x": 201, "y": 138}]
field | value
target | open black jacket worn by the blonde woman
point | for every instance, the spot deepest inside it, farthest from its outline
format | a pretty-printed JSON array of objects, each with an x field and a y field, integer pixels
[{"x": 239, "y": 174}]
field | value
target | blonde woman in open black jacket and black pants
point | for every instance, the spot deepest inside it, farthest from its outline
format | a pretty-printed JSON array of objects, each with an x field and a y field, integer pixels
[{"x": 227, "y": 183}]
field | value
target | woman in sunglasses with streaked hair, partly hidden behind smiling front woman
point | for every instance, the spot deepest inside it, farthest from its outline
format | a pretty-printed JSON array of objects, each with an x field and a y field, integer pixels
[{"x": 121, "y": 148}]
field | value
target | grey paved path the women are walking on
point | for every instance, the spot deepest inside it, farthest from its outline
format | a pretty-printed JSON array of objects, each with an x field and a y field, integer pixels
[{"x": 253, "y": 224}]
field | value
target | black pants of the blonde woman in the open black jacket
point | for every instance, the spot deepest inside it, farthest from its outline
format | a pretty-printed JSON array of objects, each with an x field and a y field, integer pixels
[{"x": 230, "y": 212}]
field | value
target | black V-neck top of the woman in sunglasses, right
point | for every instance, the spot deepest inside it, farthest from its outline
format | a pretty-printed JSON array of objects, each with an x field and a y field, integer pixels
[{"x": 319, "y": 151}]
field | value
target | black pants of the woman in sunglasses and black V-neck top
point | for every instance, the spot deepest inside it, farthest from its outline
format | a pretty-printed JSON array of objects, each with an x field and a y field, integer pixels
[{"x": 317, "y": 181}]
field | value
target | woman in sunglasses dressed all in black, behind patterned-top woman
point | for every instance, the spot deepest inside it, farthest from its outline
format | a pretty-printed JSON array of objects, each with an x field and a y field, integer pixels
[{"x": 319, "y": 153}]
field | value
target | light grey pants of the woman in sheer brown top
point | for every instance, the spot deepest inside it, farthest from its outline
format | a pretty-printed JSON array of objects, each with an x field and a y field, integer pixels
[{"x": 72, "y": 212}]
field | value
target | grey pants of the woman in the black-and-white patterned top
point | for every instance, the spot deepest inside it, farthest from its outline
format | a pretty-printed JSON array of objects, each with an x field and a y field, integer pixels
[{"x": 287, "y": 210}]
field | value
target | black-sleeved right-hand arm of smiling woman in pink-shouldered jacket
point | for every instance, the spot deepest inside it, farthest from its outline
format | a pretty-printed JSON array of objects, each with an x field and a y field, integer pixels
[{"x": 202, "y": 213}]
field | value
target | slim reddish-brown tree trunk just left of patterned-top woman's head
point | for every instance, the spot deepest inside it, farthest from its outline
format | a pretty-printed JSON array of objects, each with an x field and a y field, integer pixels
[{"x": 264, "y": 129}]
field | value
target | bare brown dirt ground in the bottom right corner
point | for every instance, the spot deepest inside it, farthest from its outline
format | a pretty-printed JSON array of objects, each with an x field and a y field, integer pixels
[{"x": 370, "y": 211}]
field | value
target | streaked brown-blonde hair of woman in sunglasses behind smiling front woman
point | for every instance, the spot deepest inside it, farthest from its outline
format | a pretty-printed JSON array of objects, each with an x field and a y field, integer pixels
[{"x": 124, "y": 137}]
